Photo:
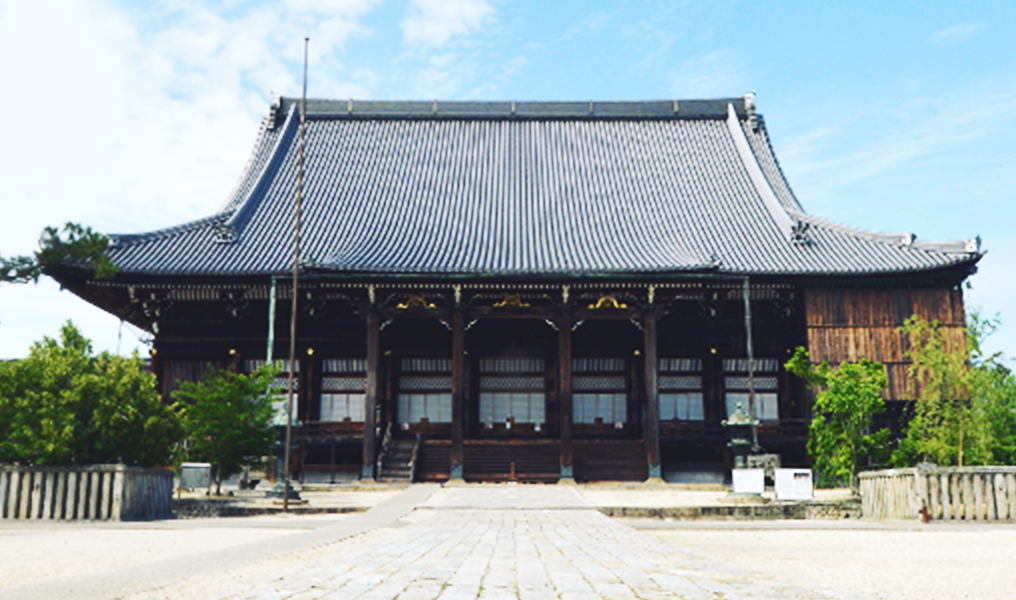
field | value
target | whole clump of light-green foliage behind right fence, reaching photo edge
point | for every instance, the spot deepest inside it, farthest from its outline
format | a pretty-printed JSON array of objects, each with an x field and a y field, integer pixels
[{"x": 966, "y": 414}]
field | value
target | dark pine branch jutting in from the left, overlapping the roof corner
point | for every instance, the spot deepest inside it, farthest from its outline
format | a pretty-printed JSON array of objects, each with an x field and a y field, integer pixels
[{"x": 82, "y": 247}]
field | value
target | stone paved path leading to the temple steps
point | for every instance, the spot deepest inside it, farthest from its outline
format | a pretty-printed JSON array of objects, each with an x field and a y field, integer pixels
[{"x": 520, "y": 543}]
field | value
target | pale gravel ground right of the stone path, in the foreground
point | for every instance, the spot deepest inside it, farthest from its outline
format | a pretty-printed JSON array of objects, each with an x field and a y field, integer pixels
[{"x": 896, "y": 562}]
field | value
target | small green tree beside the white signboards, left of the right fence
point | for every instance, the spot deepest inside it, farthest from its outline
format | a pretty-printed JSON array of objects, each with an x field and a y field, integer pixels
[{"x": 840, "y": 438}]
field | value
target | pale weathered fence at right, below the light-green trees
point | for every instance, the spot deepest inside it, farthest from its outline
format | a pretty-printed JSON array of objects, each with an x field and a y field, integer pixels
[{"x": 970, "y": 494}]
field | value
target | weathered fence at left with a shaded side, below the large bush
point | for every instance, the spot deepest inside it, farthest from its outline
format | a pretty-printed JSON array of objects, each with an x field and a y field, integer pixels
[{"x": 95, "y": 493}]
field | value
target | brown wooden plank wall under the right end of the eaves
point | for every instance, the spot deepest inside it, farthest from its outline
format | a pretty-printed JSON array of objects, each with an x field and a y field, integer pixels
[{"x": 850, "y": 325}]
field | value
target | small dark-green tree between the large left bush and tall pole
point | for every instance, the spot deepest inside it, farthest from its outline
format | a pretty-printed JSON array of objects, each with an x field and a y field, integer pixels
[{"x": 228, "y": 418}]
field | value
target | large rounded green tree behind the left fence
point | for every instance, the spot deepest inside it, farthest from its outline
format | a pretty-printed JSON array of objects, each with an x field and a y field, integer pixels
[{"x": 63, "y": 406}]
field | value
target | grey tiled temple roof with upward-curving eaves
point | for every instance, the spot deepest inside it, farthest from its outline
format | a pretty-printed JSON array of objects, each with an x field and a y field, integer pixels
[{"x": 559, "y": 189}]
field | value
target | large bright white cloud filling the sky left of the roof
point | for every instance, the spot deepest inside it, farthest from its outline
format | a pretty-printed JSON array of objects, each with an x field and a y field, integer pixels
[{"x": 134, "y": 121}]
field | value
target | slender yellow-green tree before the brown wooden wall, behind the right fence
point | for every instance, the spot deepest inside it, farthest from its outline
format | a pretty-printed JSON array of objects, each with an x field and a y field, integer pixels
[{"x": 948, "y": 424}]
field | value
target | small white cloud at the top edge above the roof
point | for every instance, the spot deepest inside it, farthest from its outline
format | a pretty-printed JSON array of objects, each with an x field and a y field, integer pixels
[{"x": 434, "y": 23}]
